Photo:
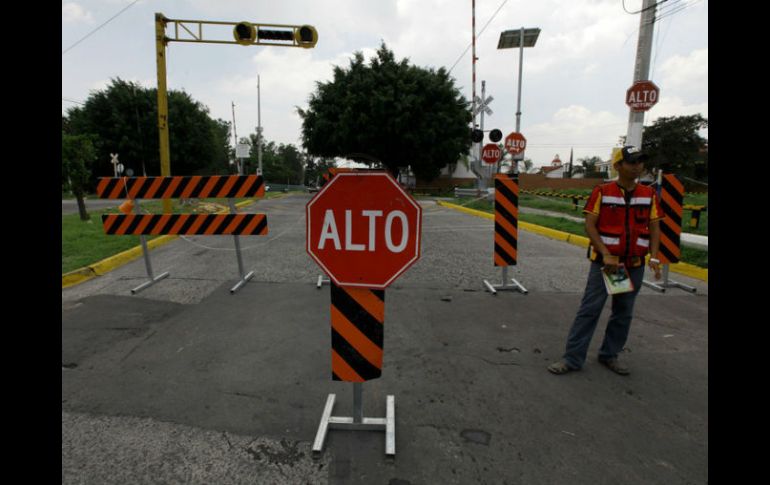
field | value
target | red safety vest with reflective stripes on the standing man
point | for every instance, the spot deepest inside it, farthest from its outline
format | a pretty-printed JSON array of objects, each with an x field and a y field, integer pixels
[{"x": 625, "y": 227}]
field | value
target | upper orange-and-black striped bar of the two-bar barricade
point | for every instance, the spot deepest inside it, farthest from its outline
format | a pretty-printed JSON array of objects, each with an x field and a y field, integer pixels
[{"x": 181, "y": 187}]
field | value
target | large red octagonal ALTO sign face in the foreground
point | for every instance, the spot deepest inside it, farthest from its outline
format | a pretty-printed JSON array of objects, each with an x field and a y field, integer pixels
[{"x": 363, "y": 229}]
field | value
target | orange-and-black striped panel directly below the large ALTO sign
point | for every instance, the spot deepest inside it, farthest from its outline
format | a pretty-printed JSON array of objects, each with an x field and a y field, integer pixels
[{"x": 358, "y": 315}]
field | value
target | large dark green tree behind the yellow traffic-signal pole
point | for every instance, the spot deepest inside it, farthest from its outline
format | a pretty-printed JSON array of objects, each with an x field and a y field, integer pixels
[{"x": 125, "y": 118}]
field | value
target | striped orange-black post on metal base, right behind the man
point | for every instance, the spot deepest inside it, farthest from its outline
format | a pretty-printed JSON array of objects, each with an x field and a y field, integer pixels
[{"x": 671, "y": 195}]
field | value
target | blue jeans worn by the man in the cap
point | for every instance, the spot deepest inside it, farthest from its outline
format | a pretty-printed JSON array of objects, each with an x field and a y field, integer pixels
[{"x": 587, "y": 317}]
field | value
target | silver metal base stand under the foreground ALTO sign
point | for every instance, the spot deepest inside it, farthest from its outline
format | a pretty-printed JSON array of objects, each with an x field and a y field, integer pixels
[{"x": 358, "y": 422}]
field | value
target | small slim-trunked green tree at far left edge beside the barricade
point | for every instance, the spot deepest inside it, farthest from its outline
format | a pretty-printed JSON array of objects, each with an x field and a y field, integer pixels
[{"x": 78, "y": 156}]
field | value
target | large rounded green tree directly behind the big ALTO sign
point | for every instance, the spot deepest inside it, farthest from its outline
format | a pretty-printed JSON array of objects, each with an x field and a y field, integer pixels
[{"x": 387, "y": 110}]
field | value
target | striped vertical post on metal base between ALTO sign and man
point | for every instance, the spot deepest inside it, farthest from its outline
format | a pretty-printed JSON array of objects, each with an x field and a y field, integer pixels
[{"x": 506, "y": 230}]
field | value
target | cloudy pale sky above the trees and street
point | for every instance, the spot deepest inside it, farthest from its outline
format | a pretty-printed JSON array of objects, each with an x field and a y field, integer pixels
[{"x": 573, "y": 84}]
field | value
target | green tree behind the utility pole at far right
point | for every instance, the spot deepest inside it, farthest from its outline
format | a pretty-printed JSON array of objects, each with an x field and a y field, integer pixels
[{"x": 674, "y": 144}]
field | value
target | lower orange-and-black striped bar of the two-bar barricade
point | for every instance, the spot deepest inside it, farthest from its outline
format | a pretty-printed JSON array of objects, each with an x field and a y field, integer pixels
[{"x": 186, "y": 224}]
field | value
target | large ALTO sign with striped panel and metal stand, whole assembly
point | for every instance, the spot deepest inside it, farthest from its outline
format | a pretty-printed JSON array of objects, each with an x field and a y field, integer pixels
[{"x": 364, "y": 231}]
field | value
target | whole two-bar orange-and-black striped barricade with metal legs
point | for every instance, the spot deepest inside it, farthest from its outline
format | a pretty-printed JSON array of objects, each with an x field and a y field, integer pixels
[{"x": 184, "y": 187}]
